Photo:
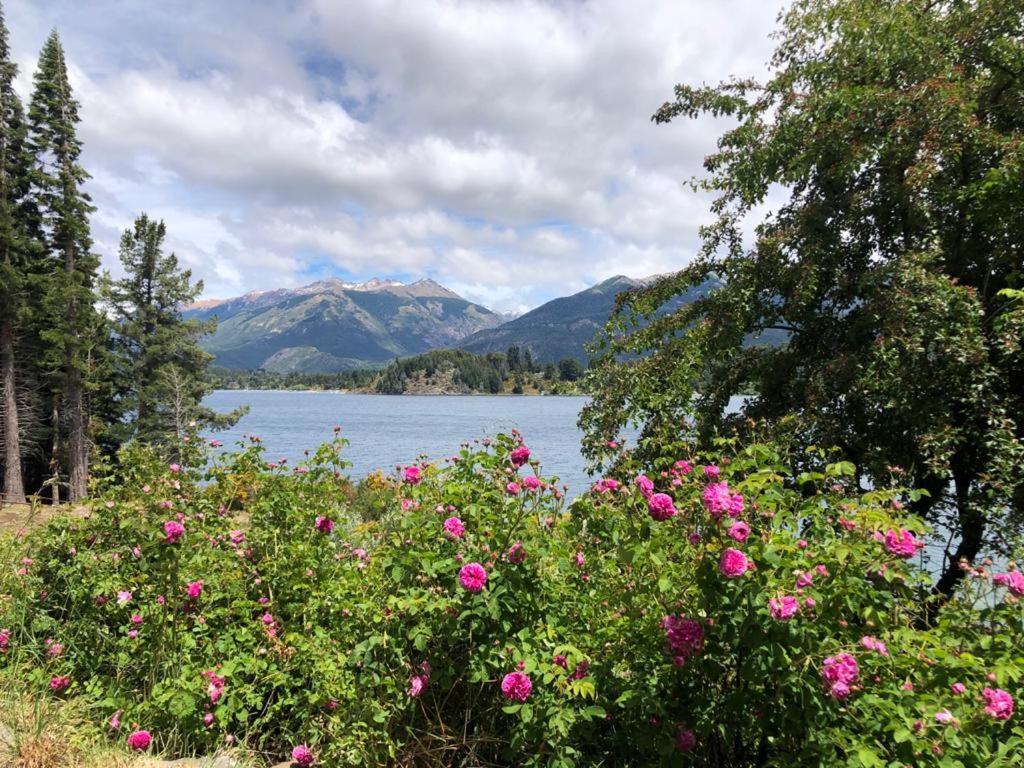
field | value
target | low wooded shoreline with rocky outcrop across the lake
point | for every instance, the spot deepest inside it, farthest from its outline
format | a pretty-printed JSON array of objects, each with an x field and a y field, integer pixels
[{"x": 439, "y": 371}]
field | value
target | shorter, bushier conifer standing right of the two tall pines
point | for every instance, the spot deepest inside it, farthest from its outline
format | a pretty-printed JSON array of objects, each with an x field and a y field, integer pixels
[{"x": 157, "y": 358}]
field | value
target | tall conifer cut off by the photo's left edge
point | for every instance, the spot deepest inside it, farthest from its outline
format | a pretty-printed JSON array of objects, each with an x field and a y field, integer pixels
[{"x": 16, "y": 255}]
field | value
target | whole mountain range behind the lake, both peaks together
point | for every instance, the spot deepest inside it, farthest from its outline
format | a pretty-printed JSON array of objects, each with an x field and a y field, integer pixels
[{"x": 332, "y": 326}]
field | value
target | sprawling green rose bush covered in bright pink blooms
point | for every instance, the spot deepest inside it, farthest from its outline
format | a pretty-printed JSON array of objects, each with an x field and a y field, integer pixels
[{"x": 709, "y": 611}]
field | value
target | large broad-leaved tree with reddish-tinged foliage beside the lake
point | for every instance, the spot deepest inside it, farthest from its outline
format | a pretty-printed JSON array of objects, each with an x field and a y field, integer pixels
[{"x": 894, "y": 133}]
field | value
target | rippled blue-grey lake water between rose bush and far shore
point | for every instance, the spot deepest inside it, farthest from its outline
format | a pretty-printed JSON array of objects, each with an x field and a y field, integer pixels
[{"x": 385, "y": 432}]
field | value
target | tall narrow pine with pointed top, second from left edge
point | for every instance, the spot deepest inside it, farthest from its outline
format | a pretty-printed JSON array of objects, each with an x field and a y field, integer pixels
[{"x": 71, "y": 321}]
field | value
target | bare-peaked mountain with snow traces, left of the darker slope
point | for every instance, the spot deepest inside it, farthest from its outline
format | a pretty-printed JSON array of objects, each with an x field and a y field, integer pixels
[{"x": 334, "y": 326}]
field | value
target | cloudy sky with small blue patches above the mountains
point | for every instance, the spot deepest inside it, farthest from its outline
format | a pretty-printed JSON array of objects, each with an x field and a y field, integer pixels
[{"x": 504, "y": 149}]
